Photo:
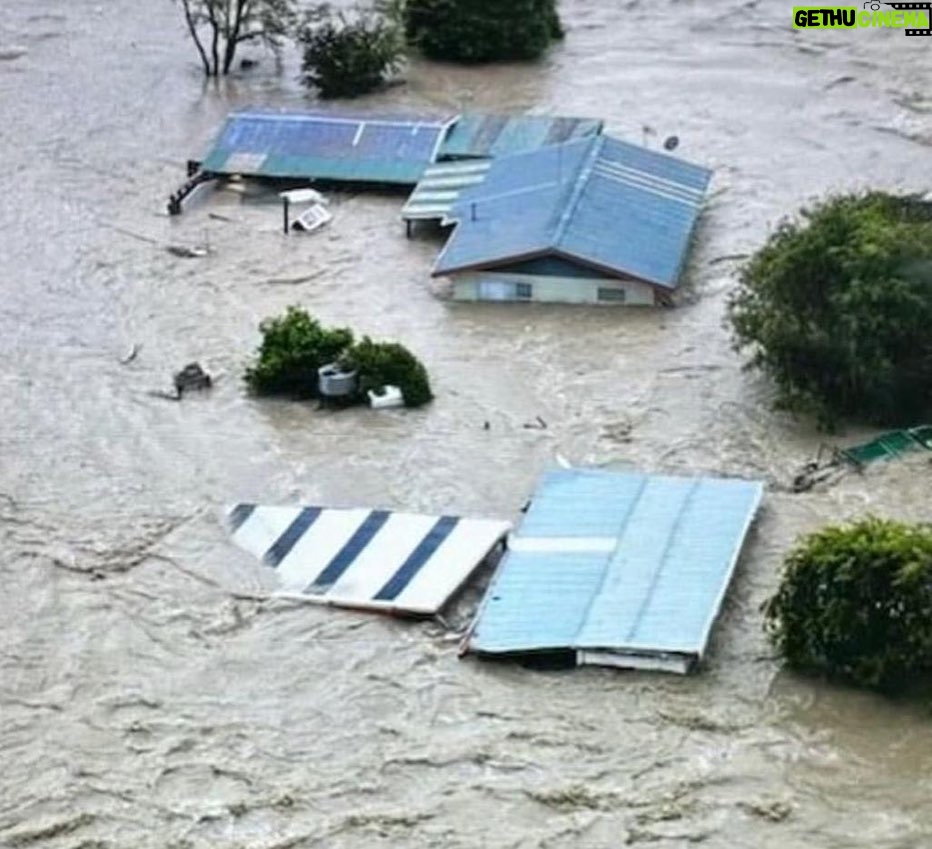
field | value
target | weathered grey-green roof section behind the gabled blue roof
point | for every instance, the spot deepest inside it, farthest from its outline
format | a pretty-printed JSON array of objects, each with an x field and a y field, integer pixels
[{"x": 504, "y": 135}]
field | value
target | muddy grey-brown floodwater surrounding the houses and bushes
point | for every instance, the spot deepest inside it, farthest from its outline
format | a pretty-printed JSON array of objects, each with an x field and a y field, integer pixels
[{"x": 151, "y": 695}]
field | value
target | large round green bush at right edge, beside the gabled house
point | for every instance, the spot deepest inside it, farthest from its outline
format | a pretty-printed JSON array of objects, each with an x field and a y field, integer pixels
[{"x": 837, "y": 309}]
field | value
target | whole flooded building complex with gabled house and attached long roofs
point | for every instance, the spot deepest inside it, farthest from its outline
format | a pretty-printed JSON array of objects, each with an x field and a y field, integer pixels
[{"x": 542, "y": 208}]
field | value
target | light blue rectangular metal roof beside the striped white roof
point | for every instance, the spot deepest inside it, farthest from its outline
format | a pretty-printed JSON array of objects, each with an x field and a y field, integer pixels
[{"x": 622, "y": 569}]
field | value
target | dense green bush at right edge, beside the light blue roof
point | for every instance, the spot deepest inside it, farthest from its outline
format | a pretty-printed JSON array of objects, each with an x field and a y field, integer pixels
[{"x": 855, "y": 604}]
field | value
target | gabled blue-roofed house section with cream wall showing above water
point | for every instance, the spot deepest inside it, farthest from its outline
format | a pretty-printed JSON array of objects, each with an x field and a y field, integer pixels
[{"x": 596, "y": 220}]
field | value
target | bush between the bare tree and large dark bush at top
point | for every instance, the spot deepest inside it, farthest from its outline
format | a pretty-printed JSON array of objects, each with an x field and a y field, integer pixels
[{"x": 346, "y": 56}]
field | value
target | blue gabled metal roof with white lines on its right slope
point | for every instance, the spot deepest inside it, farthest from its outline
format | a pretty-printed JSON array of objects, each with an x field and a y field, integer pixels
[{"x": 602, "y": 202}]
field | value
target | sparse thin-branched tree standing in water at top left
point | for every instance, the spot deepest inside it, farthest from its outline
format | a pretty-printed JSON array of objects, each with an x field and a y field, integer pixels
[{"x": 219, "y": 27}]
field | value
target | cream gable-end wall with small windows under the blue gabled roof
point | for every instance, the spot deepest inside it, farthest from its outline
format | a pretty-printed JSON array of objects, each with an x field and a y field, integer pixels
[{"x": 504, "y": 286}]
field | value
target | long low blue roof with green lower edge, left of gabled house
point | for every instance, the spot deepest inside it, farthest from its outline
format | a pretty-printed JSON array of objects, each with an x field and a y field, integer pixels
[{"x": 381, "y": 149}]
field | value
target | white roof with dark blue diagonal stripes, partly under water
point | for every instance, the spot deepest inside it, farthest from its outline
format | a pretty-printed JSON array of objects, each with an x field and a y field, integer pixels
[{"x": 370, "y": 559}]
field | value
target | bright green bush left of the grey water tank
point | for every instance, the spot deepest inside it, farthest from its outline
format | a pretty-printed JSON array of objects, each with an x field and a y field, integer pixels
[{"x": 294, "y": 347}]
